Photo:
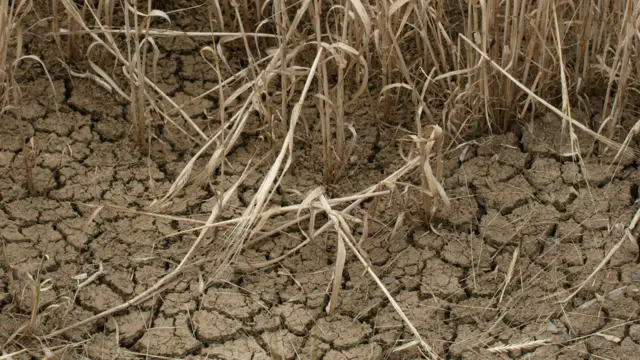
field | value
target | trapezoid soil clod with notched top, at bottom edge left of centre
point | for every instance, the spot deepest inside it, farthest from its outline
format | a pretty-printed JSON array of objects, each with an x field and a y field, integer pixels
[{"x": 168, "y": 337}]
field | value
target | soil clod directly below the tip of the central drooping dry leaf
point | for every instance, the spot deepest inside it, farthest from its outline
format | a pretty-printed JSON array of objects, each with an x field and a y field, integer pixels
[{"x": 341, "y": 331}]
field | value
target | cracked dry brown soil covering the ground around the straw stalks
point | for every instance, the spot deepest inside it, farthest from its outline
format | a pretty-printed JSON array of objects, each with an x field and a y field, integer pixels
[{"x": 516, "y": 199}]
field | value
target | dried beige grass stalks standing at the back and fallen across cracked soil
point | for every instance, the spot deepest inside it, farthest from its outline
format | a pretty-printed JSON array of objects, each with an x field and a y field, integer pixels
[{"x": 483, "y": 66}]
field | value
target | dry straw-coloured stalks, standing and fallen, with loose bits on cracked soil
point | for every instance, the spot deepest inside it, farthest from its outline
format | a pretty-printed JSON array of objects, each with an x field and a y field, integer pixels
[{"x": 451, "y": 71}]
